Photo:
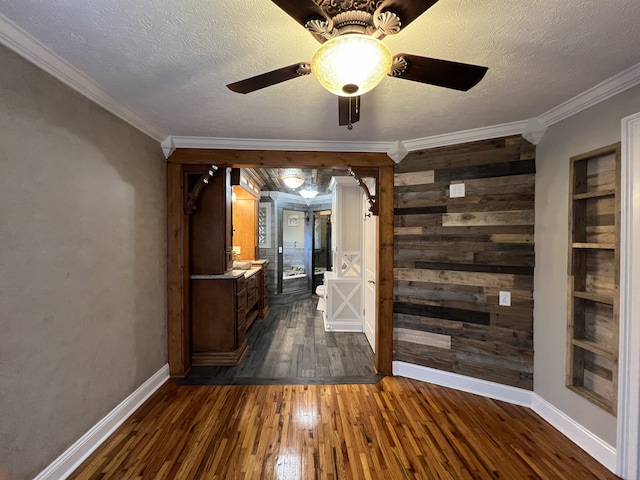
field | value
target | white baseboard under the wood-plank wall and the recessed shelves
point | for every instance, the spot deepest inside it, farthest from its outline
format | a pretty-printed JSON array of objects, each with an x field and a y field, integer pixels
[{"x": 590, "y": 443}]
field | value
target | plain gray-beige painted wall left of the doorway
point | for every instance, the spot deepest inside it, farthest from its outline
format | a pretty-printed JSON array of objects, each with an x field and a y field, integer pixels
[{"x": 82, "y": 265}]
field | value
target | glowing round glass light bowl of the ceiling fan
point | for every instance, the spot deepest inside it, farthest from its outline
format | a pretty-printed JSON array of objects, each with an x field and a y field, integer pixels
[{"x": 351, "y": 64}]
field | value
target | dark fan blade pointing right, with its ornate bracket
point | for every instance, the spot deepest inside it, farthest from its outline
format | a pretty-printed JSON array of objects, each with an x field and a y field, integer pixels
[{"x": 443, "y": 73}]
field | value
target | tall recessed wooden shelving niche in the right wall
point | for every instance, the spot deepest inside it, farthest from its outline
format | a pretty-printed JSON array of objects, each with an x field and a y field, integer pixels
[{"x": 594, "y": 272}]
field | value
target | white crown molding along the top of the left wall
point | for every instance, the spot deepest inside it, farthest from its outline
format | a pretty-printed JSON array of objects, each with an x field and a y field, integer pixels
[{"x": 16, "y": 39}]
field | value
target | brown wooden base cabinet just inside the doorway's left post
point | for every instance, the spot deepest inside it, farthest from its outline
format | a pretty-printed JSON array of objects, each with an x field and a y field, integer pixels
[{"x": 218, "y": 313}]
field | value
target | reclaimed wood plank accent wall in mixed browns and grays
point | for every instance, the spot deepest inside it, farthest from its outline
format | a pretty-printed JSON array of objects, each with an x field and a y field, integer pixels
[{"x": 453, "y": 256}]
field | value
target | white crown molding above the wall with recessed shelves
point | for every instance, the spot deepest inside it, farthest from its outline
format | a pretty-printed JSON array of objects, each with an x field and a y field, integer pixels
[{"x": 625, "y": 80}]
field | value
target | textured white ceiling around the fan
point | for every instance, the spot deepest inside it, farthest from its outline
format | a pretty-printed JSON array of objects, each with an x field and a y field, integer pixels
[{"x": 169, "y": 61}]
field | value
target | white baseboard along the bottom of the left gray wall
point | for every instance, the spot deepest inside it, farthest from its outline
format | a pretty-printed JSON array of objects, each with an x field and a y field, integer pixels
[{"x": 66, "y": 463}]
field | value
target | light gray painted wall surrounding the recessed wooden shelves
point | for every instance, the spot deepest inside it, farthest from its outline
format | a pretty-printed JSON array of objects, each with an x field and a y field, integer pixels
[{"x": 588, "y": 130}]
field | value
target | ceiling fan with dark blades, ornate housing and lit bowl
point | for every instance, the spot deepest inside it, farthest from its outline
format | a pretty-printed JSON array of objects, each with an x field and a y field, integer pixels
[{"x": 352, "y": 59}]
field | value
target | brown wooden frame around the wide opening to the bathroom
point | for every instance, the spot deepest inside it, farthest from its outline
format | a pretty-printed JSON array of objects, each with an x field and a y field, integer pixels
[{"x": 178, "y": 328}]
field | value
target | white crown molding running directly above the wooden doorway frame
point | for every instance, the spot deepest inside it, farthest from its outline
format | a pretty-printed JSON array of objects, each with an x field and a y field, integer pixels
[{"x": 217, "y": 143}]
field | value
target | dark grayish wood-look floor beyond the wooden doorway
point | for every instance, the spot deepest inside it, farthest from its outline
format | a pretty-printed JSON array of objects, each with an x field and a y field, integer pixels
[{"x": 290, "y": 346}]
